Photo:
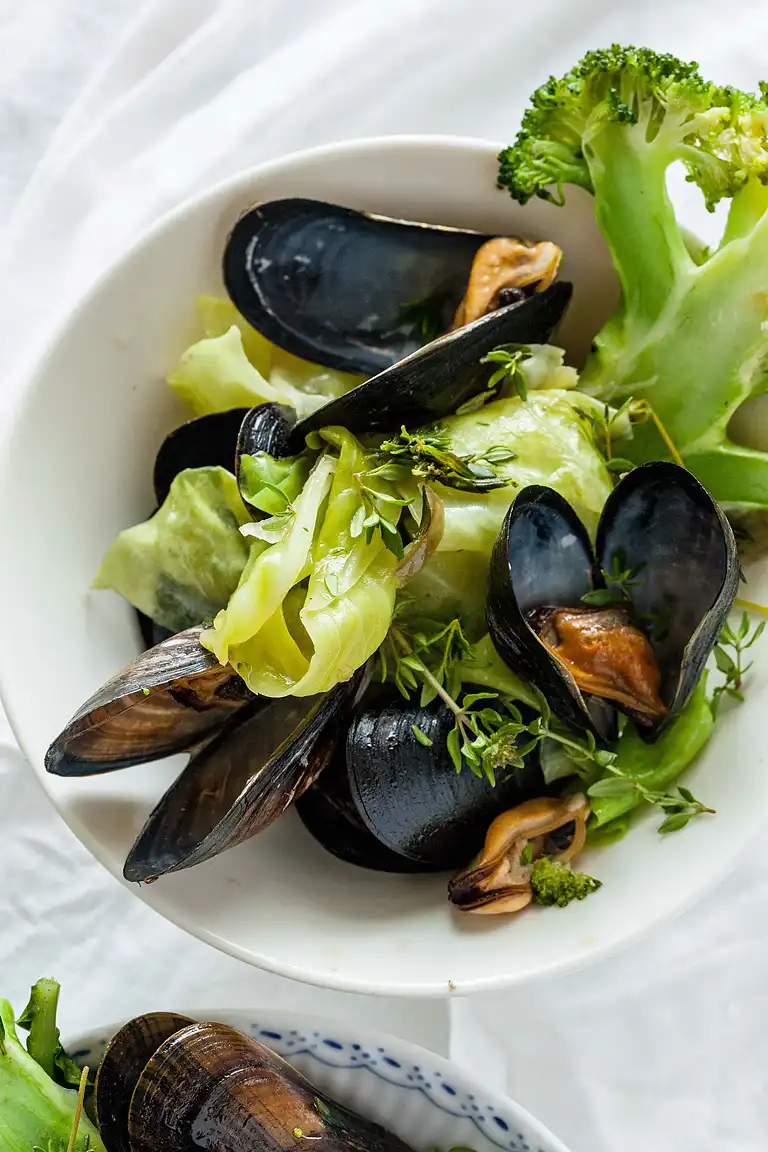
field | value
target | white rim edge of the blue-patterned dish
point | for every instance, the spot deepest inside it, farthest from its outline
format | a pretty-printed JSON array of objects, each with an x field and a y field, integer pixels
[{"x": 347, "y": 1034}]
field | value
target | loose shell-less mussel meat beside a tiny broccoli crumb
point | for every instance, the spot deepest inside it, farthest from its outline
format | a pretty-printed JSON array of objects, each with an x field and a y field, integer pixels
[{"x": 499, "y": 880}]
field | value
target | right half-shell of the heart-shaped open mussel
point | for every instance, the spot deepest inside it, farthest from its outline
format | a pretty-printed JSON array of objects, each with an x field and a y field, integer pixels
[{"x": 666, "y": 528}]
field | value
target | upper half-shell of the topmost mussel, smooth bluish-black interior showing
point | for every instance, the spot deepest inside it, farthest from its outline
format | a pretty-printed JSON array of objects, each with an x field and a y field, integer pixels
[{"x": 343, "y": 289}]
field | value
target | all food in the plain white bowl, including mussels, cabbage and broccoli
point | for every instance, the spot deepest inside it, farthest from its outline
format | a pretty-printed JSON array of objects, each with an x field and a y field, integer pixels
[{"x": 461, "y": 603}]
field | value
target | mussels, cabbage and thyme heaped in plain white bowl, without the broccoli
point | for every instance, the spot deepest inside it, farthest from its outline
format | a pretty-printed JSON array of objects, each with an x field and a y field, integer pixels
[{"x": 381, "y": 600}]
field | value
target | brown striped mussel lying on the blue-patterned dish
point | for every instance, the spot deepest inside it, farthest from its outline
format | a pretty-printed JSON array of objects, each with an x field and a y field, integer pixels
[{"x": 169, "y": 1083}]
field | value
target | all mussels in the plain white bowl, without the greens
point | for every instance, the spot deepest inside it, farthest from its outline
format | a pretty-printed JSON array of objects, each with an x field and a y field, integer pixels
[{"x": 366, "y": 787}]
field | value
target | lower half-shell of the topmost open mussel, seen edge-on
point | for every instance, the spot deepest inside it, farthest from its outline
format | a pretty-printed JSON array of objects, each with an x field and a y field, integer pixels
[{"x": 436, "y": 381}]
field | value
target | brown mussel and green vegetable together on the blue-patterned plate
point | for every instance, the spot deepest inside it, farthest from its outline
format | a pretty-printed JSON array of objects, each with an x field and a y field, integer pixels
[{"x": 166, "y": 1083}]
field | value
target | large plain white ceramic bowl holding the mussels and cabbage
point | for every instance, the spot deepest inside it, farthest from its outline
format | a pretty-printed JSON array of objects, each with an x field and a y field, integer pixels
[{"x": 77, "y": 467}]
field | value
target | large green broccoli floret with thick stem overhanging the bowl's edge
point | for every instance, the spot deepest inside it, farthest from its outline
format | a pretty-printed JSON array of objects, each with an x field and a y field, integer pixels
[{"x": 691, "y": 335}]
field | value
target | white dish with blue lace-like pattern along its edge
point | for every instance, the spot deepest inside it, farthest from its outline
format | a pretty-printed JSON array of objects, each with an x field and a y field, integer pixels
[{"x": 430, "y": 1103}]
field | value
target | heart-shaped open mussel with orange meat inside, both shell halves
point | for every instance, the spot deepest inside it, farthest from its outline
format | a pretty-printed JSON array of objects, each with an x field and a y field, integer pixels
[{"x": 632, "y": 630}]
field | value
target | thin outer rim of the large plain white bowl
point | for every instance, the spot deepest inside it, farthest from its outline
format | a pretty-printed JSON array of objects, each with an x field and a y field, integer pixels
[{"x": 24, "y": 385}]
